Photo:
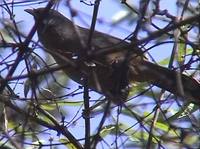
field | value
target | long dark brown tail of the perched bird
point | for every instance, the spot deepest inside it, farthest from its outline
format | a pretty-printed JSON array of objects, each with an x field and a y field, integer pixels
[{"x": 170, "y": 80}]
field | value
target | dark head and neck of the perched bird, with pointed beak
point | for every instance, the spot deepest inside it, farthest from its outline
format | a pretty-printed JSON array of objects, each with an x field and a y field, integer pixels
[{"x": 55, "y": 31}]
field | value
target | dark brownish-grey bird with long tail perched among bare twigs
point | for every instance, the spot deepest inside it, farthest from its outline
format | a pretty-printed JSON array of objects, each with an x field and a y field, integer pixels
[{"x": 110, "y": 74}]
